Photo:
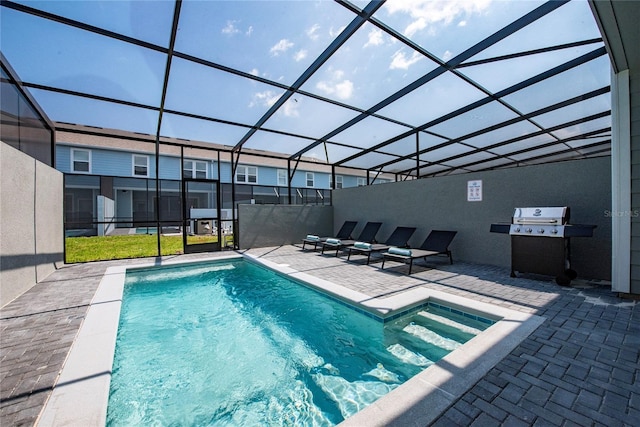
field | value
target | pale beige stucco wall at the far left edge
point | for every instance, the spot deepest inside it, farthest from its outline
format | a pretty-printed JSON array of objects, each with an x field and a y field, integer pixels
[{"x": 31, "y": 229}]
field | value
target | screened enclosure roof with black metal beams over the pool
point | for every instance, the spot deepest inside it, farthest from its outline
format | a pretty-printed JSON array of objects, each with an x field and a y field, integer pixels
[{"x": 416, "y": 88}]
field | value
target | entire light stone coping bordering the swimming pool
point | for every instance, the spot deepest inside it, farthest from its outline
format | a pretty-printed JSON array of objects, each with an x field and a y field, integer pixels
[{"x": 81, "y": 393}]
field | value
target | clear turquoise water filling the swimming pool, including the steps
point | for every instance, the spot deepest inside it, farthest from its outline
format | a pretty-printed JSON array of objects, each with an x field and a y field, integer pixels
[{"x": 235, "y": 344}]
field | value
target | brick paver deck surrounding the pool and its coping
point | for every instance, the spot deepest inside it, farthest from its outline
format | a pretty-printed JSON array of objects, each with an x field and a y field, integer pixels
[{"x": 580, "y": 367}]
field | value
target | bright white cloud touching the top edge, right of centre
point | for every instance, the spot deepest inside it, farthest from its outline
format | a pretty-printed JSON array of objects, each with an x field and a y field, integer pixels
[{"x": 425, "y": 14}]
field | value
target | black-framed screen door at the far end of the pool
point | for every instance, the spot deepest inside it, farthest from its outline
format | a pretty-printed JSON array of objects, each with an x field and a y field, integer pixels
[{"x": 201, "y": 226}]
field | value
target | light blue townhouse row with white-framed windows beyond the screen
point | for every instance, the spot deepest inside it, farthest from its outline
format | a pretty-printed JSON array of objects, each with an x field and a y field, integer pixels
[{"x": 110, "y": 180}]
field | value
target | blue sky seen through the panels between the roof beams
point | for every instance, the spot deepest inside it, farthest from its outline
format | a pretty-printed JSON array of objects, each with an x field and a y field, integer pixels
[{"x": 276, "y": 41}]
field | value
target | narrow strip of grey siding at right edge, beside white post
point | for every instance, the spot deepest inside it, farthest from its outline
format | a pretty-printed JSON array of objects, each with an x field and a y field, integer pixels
[{"x": 634, "y": 85}]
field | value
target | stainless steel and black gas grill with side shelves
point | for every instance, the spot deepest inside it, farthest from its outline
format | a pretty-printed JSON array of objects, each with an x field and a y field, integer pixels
[{"x": 540, "y": 241}]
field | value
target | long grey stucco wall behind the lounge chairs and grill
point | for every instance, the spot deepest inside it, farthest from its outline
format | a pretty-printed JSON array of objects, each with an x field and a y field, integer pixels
[{"x": 441, "y": 203}]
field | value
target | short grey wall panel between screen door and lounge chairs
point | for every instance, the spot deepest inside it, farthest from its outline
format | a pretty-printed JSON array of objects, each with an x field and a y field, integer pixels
[{"x": 275, "y": 225}]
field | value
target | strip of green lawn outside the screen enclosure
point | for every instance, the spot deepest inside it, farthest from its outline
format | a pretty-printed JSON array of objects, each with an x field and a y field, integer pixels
[{"x": 84, "y": 249}]
